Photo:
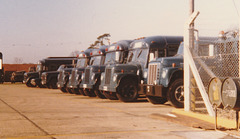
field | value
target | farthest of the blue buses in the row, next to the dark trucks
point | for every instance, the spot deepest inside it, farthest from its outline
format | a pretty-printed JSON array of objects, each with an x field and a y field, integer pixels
[{"x": 63, "y": 76}]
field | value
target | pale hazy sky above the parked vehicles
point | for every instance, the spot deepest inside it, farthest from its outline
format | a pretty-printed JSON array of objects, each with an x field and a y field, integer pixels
[{"x": 31, "y": 30}]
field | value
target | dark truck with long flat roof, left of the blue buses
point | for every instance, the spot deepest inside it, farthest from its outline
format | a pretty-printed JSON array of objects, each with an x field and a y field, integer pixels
[{"x": 33, "y": 79}]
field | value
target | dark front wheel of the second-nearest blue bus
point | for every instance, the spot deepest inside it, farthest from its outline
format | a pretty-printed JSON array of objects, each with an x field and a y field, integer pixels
[{"x": 127, "y": 91}]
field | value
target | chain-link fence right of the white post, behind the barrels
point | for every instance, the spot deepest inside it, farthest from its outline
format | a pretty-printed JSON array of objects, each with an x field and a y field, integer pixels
[{"x": 216, "y": 49}]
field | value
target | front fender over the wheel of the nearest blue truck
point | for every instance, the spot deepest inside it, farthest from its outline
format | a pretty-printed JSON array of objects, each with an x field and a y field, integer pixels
[{"x": 168, "y": 73}]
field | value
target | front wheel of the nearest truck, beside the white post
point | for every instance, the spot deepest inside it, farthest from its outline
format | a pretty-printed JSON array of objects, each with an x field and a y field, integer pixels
[{"x": 176, "y": 93}]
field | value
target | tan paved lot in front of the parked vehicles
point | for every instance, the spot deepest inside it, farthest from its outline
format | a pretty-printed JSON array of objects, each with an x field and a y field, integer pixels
[{"x": 46, "y": 113}]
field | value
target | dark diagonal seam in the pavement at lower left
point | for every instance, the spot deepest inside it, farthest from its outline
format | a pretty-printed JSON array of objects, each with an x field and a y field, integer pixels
[{"x": 37, "y": 126}]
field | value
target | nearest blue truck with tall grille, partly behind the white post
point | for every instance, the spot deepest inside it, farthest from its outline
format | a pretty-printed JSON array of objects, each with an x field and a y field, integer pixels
[{"x": 165, "y": 74}]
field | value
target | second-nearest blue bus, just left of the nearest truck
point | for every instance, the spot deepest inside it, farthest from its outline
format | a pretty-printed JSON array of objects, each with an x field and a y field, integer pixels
[{"x": 124, "y": 81}]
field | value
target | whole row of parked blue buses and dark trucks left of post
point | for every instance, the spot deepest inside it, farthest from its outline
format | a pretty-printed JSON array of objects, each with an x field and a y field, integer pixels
[{"x": 147, "y": 66}]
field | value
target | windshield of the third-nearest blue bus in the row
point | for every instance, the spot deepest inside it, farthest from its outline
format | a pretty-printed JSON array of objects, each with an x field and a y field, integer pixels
[{"x": 113, "y": 57}]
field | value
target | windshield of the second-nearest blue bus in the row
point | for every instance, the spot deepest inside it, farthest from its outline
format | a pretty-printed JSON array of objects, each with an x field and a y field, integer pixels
[{"x": 138, "y": 55}]
